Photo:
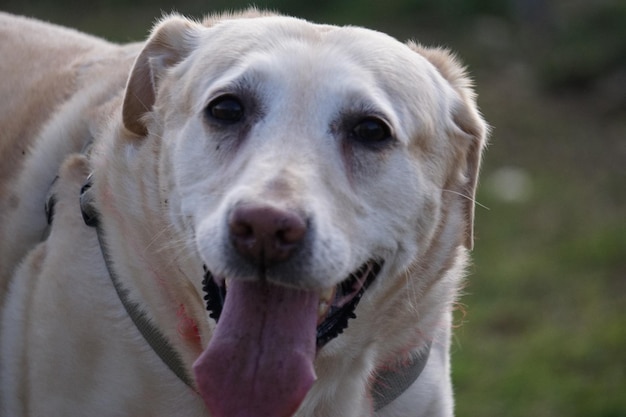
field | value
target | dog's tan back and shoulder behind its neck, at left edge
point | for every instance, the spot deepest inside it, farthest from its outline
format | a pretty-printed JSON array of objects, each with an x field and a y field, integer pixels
[{"x": 55, "y": 83}]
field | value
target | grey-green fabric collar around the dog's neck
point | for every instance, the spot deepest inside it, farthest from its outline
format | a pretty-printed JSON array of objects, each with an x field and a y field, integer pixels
[{"x": 387, "y": 386}]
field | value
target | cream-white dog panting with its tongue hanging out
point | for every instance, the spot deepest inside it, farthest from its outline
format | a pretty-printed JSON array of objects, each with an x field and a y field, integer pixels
[{"x": 250, "y": 215}]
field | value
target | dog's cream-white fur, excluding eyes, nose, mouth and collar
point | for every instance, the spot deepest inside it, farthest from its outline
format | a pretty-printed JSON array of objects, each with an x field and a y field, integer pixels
[{"x": 165, "y": 181}]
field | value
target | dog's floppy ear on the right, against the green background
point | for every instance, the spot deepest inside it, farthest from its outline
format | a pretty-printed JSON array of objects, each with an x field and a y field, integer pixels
[{"x": 470, "y": 129}]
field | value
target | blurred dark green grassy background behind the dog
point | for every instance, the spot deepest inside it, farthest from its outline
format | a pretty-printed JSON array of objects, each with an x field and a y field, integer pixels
[{"x": 541, "y": 329}]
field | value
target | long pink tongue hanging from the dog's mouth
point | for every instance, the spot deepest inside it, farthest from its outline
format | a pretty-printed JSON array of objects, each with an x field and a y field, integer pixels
[{"x": 259, "y": 362}]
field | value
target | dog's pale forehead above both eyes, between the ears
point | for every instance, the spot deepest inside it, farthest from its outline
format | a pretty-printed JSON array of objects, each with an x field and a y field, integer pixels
[{"x": 329, "y": 62}]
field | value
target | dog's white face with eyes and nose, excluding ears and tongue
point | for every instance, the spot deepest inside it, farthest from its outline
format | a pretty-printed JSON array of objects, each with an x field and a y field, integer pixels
[{"x": 300, "y": 133}]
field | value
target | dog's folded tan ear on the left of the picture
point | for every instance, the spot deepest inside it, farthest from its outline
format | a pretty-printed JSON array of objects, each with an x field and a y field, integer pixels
[{"x": 171, "y": 41}]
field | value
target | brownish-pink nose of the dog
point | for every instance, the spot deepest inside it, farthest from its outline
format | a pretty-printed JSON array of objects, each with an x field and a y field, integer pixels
[{"x": 264, "y": 234}]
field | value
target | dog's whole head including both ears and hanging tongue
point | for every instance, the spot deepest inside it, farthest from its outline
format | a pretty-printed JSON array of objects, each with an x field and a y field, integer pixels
[{"x": 305, "y": 163}]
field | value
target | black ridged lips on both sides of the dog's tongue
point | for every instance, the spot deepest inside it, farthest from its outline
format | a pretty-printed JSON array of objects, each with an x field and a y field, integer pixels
[{"x": 337, "y": 318}]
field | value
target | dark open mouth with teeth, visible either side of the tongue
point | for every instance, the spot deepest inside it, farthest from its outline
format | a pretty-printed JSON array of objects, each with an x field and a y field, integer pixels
[{"x": 337, "y": 304}]
